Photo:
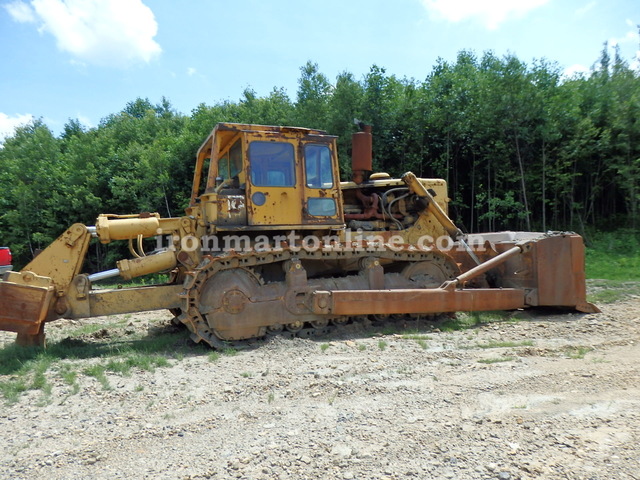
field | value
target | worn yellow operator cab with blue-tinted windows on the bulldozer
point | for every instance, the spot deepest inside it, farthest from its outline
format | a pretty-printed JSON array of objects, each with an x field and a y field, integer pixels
[{"x": 273, "y": 177}]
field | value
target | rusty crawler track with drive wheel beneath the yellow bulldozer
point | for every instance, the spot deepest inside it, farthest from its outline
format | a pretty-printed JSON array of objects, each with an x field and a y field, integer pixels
[{"x": 199, "y": 284}]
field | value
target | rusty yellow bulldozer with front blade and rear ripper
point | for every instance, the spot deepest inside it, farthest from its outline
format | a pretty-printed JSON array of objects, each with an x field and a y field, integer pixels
[{"x": 273, "y": 241}]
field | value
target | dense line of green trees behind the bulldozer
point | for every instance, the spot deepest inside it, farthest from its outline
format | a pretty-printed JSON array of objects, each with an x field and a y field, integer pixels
[{"x": 520, "y": 146}]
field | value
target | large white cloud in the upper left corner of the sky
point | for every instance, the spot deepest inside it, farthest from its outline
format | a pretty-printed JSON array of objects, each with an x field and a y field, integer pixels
[{"x": 113, "y": 33}]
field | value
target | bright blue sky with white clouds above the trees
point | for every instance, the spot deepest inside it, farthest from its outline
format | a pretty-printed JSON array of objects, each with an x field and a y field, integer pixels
[{"x": 86, "y": 59}]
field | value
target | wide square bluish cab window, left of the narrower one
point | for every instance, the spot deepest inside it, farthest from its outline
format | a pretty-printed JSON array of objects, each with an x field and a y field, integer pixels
[{"x": 272, "y": 164}]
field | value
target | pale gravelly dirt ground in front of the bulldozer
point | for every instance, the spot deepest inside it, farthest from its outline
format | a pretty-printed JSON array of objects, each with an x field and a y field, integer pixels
[{"x": 549, "y": 396}]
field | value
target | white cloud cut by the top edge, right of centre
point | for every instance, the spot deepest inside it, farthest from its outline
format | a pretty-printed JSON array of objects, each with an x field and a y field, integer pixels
[{"x": 490, "y": 12}]
